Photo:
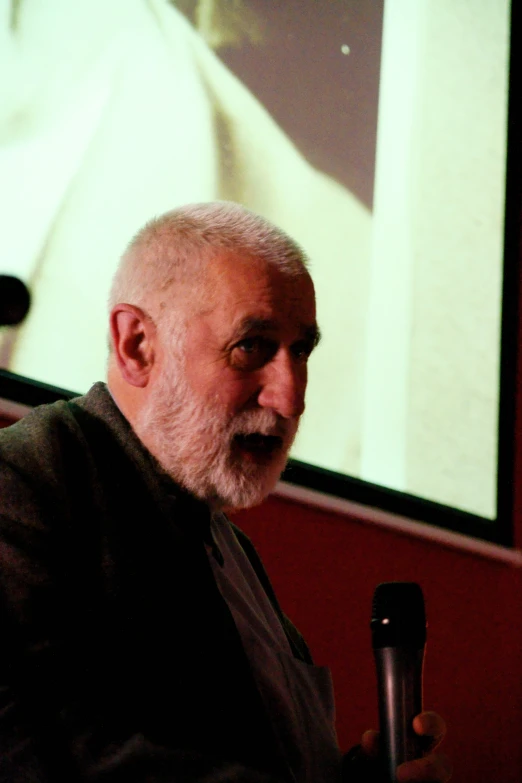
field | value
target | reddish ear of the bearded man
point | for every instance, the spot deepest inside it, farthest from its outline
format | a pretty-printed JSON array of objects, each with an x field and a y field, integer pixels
[{"x": 133, "y": 335}]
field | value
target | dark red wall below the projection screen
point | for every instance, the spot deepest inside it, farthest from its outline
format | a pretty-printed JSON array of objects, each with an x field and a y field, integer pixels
[{"x": 325, "y": 567}]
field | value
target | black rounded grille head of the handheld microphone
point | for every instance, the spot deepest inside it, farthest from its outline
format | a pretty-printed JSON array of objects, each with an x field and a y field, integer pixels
[{"x": 398, "y": 615}]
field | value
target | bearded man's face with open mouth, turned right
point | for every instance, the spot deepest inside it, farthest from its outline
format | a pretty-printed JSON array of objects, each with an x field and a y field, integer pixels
[{"x": 222, "y": 419}]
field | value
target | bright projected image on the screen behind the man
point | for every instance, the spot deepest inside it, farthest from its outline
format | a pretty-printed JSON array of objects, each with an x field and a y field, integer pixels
[{"x": 374, "y": 136}]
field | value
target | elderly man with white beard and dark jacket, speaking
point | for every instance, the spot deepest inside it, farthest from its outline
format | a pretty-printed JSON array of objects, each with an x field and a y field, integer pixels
[{"x": 142, "y": 639}]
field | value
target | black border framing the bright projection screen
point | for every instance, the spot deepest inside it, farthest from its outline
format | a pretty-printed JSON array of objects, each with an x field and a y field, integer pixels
[{"x": 27, "y": 391}]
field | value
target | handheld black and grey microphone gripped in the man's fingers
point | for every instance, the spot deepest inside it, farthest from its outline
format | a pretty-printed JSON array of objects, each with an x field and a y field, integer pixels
[{"x": 398, "y": 628}]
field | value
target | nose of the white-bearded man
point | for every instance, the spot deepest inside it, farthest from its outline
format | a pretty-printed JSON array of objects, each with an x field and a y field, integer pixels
[{"x": 283, "y": 386}]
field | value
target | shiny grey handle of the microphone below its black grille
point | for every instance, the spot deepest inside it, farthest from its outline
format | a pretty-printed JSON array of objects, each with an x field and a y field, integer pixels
[{"x": 399, "y": 682}]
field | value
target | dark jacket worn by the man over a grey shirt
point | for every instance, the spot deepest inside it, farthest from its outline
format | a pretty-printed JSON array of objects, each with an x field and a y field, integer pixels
[{"x": 119, "y": 658}]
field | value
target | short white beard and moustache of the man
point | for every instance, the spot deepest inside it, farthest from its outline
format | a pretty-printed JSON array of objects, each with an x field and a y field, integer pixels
[{"x": 194, "y": 443}]
